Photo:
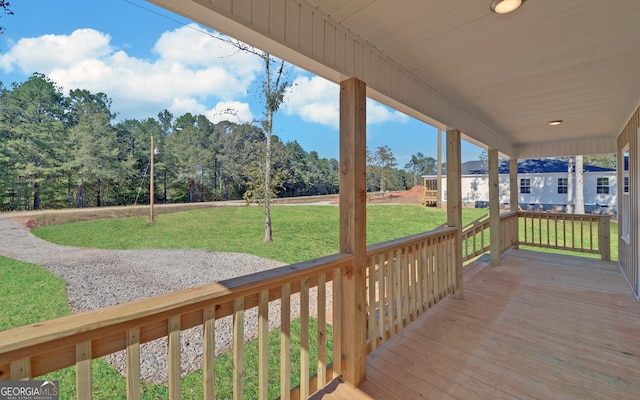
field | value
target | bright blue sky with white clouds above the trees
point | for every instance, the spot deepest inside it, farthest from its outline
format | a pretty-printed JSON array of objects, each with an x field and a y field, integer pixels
[{"x": 147, "y": 59}]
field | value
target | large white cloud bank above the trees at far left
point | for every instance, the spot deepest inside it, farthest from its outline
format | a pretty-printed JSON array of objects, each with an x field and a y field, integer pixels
[{"x": 191, "y": 73}]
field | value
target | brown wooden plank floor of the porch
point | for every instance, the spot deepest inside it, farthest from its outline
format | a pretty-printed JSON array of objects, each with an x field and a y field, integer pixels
[{"x": 540, "y": 326}]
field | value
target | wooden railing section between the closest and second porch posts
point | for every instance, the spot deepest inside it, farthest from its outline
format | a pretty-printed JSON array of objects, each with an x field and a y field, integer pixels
[{"x": 405, "y": 277}]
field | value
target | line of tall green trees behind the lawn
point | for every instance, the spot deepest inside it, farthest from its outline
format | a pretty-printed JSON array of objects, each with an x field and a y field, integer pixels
[{"x": 66, "y": 151}]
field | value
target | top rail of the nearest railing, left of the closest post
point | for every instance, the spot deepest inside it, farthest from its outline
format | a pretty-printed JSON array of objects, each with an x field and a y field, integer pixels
[{"x": 124, "y": 316}]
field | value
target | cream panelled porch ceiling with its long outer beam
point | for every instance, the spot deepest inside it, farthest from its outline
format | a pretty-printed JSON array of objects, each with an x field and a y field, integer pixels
[{"x": 499, "y": 79}]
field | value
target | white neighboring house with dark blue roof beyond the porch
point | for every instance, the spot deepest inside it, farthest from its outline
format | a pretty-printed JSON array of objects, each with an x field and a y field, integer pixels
[{"x": 542, "y": 185}]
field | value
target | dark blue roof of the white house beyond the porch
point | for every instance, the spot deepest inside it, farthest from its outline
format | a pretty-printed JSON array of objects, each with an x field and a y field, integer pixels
[{"x": 530, "y": 166}]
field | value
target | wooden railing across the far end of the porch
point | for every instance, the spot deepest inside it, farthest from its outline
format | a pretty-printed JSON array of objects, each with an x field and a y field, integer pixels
[{"x": 584, "y": 233}]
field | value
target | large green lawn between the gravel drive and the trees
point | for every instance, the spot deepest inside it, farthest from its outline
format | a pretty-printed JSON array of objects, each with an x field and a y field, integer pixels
[{"x": 300, "y": 232}]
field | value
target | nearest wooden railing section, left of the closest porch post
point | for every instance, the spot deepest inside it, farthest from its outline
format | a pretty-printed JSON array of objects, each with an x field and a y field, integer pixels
[{"x": 31, "y": 351}]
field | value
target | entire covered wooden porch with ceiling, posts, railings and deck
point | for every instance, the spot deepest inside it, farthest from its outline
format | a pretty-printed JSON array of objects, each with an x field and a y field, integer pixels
[{"x": 406, "y": 323}]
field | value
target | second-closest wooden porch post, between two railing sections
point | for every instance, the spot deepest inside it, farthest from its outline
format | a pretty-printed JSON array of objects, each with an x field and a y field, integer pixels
[{"x": 454, "y": 201}]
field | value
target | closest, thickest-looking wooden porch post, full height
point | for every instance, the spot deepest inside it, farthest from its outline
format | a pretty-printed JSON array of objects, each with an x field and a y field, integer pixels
[{"x": 353, "y": 197}]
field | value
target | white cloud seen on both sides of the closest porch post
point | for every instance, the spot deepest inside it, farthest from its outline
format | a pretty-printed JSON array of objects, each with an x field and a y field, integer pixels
[{"x": 315, "y": 99}]
